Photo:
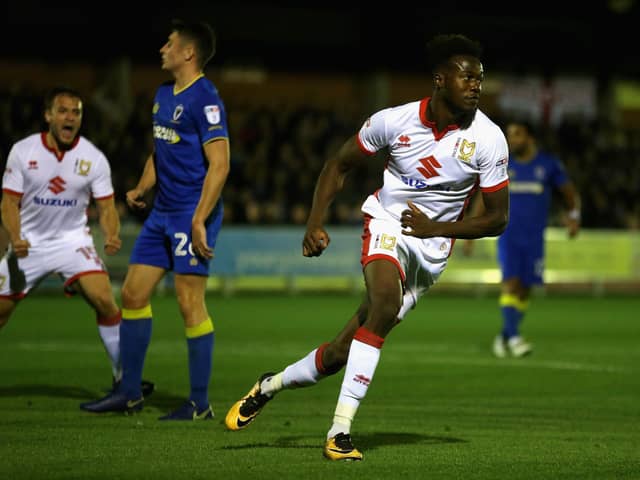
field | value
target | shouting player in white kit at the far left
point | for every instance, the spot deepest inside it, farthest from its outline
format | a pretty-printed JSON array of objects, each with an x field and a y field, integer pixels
[{"x": 47, "y": 186}]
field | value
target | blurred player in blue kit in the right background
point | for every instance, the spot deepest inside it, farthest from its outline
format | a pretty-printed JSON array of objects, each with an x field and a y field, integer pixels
[{"x": 534, "y": 175}]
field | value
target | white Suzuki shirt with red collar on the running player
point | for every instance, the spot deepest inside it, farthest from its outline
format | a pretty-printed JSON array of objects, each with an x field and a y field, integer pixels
[{"x": 437, "y": 170}]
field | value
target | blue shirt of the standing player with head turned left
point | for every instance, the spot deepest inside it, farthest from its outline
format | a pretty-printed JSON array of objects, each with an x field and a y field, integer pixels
[{"x": 183, "y": 122}]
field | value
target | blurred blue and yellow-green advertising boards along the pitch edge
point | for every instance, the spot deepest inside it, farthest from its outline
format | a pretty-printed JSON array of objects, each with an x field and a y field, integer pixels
[{"x": 270, "y": 259}]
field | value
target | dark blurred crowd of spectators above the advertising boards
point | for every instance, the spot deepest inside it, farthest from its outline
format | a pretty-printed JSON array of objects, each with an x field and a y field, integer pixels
[{"x": 277, "y": 152}]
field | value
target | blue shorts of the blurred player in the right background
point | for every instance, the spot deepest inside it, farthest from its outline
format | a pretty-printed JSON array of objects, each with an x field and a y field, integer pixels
[{"x": 522, "y": 258}]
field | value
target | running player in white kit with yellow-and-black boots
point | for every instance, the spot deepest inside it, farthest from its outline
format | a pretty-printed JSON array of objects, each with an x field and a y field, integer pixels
[{"x": 440, "y": 150}]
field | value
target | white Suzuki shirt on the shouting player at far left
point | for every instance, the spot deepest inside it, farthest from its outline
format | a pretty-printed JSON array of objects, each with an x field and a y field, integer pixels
[{"x": 55, "y": 191}]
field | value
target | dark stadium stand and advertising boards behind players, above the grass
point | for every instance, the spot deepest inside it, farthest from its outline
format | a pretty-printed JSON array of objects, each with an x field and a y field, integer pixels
[{"x": 297, "y": 80}]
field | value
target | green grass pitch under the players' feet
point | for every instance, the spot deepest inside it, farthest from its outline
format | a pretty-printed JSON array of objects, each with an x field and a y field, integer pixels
[{"x": 440, "y": 406}]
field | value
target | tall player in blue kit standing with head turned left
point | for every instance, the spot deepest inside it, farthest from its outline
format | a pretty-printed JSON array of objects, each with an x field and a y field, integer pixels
[{"x": 188, "y": 168}]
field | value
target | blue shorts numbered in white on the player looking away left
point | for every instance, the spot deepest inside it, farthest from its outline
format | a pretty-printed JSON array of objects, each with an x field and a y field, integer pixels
[{"x": 165, "y": 242}]
